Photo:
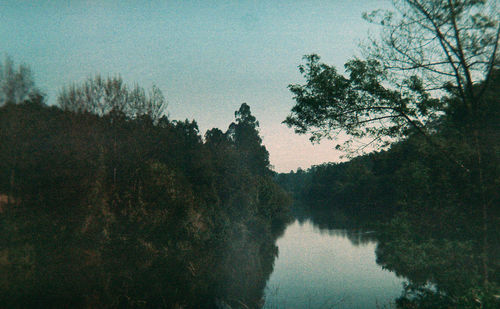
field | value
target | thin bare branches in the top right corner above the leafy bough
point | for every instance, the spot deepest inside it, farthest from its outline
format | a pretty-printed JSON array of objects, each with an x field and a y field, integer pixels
[{"x": 448, "y": 44}]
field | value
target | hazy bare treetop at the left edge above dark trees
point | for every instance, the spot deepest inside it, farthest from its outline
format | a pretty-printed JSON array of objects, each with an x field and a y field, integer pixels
[{"x": 16, "y": 84}]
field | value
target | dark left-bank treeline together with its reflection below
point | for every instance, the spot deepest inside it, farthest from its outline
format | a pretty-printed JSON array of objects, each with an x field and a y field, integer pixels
[{"x": 122, "y": 207}]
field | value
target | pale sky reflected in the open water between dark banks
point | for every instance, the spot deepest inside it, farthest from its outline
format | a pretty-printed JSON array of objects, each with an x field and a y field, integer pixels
[{"x": 324, "y": 269}]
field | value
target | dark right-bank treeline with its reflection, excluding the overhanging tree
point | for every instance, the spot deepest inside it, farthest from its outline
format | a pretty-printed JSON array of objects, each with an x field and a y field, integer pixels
[{"x": 438, "y": 222}]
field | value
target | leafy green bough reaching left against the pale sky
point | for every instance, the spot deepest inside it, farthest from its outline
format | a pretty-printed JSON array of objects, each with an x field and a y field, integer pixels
[{"x": 359, "y": 105}]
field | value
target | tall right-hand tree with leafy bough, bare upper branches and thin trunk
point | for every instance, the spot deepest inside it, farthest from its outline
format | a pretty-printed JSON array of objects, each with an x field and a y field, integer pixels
[{"x": 434, "y": 57}]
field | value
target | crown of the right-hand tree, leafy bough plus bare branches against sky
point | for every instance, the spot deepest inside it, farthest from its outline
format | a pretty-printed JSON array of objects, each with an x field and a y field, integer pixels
[{"x": 426, "y": 47}]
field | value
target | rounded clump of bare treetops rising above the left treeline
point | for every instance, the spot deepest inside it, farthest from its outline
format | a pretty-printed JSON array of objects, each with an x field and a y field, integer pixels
[{"x": 103, "y": 96}]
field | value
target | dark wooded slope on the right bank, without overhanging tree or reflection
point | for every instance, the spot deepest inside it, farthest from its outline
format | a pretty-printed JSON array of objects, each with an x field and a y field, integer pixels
[{"x": 415, "y": 176}]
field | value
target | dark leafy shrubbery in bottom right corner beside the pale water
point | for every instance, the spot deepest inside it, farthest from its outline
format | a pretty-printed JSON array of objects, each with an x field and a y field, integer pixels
[{"x": 443, "y": 271}]
